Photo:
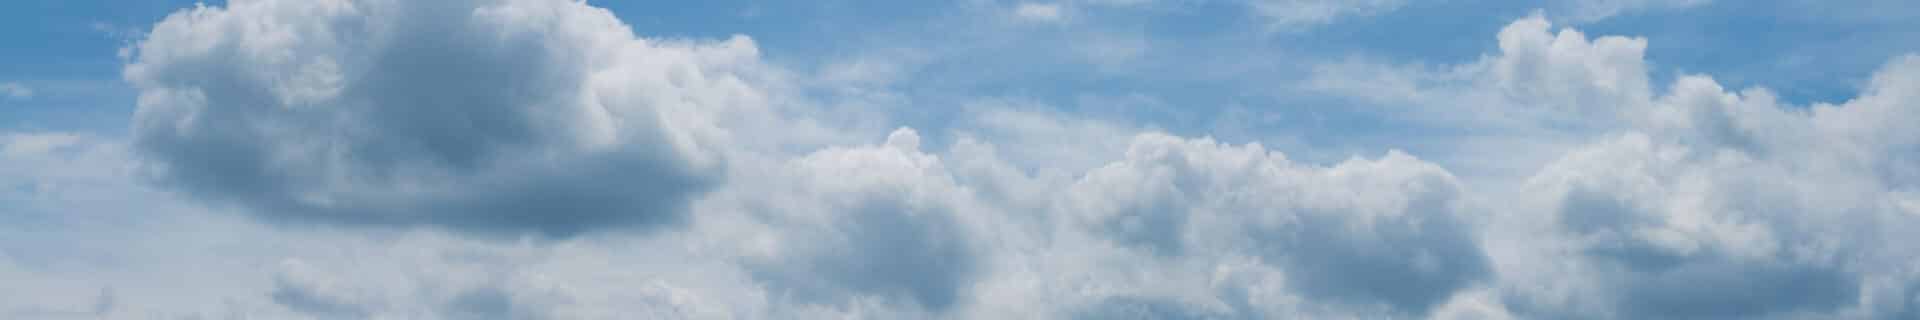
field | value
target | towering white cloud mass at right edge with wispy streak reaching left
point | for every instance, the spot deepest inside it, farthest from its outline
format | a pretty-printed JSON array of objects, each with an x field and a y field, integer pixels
[{"x": 1696, "y": 202}]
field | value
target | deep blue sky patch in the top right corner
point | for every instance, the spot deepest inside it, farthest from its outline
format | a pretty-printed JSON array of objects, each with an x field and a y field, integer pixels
[{"x": 1804, "y": 51}]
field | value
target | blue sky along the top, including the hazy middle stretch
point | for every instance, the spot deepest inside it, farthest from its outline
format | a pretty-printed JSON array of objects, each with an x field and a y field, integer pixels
[{"x": 1802, "y": 51}]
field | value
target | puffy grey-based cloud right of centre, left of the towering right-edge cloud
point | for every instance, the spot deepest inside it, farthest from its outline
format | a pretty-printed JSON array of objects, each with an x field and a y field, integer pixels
[{"x": 1383, "y": 233}]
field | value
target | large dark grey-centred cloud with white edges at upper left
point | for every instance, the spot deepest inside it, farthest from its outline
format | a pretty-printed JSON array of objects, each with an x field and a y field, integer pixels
[{"x": 504, "y": 116}]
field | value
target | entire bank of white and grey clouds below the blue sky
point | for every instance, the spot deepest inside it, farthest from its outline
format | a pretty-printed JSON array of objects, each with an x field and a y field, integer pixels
[{"x": 540, "y": 160}]
